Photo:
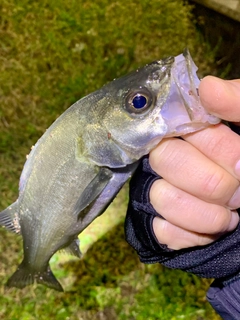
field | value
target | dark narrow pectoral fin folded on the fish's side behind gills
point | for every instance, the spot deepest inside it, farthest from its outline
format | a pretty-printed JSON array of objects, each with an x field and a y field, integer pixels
[{"x": 92, "y": 191}]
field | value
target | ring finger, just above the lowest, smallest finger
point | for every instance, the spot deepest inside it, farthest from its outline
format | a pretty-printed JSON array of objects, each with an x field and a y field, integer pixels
[{"x": 190, "y": 213}]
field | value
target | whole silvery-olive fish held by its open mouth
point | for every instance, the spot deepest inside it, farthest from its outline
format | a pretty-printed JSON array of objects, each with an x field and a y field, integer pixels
[{"x": 85, "y": 157}]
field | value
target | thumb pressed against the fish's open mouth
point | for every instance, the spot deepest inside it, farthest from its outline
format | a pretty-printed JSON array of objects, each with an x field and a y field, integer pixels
[{"x": 221, "y": 97}]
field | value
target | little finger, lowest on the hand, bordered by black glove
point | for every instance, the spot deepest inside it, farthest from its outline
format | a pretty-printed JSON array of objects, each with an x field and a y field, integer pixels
[{"x": 177, "y": 238}]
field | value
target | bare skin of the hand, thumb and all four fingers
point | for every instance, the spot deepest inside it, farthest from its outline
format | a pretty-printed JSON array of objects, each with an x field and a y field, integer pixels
[{"x": 200, "y": 190}]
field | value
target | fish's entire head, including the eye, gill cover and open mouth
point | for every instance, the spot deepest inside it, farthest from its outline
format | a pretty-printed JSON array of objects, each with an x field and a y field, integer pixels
[{"x": 157, "y": 101}]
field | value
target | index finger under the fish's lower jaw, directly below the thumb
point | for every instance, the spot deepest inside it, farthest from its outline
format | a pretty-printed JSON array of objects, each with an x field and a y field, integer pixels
[{"x": 220, "y": 144}]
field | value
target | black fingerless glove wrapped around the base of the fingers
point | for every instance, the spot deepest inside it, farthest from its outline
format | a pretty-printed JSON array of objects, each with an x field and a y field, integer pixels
[{"x": 216, "y": 260}]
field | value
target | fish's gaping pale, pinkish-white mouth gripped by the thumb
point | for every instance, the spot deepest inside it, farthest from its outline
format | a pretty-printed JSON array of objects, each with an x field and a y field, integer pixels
[{"x": 183, "y": 111}]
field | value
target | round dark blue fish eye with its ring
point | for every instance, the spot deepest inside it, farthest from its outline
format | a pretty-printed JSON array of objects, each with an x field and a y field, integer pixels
[{"x": 138, "y": 101}]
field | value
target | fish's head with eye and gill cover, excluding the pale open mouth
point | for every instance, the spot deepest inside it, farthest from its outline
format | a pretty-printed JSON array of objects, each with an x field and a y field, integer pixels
[{"x": 131, "y": 123}]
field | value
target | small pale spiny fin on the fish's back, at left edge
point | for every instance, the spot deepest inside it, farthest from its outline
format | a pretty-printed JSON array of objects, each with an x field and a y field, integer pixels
[{"x": 9, "y": 218}]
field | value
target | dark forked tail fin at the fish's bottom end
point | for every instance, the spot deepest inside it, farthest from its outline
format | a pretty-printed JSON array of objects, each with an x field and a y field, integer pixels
[{"x": 24, "y": 277}]
